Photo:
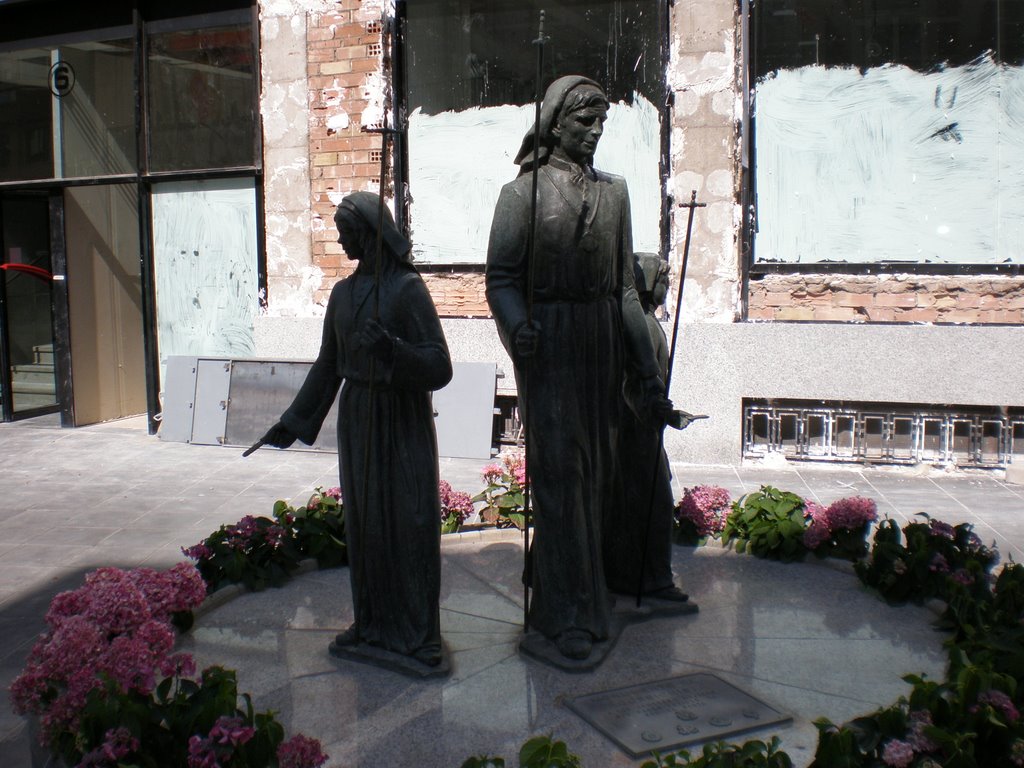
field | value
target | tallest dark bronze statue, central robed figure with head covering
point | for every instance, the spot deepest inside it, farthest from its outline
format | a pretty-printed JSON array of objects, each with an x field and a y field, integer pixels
[{"x": 573, "y": 325}]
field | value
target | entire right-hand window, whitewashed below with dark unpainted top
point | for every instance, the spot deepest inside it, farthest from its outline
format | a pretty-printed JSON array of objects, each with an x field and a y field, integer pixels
[{"x": 889, "y": 132}]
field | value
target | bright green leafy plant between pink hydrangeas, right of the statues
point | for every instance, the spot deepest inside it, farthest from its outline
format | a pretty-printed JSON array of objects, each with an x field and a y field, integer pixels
[{"x": 769, "y": 524}]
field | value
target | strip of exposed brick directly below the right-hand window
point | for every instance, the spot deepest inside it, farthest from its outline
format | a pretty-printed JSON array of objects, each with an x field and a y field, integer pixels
[{"x": 897, "y": 298}]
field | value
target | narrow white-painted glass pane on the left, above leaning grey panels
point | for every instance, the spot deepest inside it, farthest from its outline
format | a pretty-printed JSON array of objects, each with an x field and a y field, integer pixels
[{"x": 205, "y": 265}]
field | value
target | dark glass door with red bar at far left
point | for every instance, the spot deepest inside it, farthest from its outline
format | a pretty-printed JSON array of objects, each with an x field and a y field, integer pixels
[{"x": 26, "y": 307}]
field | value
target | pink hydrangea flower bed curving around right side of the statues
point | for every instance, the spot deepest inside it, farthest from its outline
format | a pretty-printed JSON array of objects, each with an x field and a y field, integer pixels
[{"x": 969, "y": 720}]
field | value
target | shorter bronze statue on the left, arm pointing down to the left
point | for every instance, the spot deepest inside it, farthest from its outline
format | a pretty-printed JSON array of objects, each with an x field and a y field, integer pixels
[{"x": 385, "y": 348}]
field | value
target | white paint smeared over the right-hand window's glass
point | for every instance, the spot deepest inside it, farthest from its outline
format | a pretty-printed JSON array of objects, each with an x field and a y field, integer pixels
[{"x": 891, "y": 165}]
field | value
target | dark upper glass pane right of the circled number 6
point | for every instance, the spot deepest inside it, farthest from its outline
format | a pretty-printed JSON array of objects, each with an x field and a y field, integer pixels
[{"x": 201, "y": 99}]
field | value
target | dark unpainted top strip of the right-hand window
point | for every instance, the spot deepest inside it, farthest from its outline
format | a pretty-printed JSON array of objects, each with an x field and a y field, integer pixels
[{"x": 921, "y": 34}]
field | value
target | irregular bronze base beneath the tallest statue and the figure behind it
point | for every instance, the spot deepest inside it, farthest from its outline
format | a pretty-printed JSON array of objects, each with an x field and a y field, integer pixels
[{"x": 625, "y": 613}]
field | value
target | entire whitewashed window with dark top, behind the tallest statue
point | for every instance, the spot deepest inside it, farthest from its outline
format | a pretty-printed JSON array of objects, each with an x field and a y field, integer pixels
[{"x": 472, "y": 72}]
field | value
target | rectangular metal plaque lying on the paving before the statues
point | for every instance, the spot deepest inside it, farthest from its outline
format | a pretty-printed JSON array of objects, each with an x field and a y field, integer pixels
[{"x": 670, "y": 714}]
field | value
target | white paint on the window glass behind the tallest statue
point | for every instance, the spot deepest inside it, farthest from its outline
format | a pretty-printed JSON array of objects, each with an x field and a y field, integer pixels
[{"x": 459, "y": 161}]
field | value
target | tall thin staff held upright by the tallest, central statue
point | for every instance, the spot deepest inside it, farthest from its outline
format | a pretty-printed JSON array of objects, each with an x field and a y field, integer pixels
[{"x": 532, "y": 262}]
